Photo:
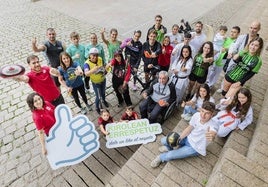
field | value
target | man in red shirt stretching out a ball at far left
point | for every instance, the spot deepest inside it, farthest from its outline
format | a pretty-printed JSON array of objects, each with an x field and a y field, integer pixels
[{"x": 39, "y": 79}]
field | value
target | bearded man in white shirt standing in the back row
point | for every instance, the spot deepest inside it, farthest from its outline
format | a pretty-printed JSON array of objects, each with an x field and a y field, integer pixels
[{"x": 198, "y": 37}]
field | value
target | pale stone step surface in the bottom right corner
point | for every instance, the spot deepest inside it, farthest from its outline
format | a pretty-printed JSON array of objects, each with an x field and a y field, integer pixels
[{"x": 234, "y": 169}]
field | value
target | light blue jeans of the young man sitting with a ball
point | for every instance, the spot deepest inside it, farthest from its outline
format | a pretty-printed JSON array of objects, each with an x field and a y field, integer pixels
[{"x": 185, "y": 150}]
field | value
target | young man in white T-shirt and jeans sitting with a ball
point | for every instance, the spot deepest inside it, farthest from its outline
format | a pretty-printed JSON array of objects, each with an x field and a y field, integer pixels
[{"x": 193, "y": 140}]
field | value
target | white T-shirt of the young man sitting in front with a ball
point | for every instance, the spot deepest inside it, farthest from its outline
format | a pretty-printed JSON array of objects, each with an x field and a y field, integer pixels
[{"x": 197, "y": 137}]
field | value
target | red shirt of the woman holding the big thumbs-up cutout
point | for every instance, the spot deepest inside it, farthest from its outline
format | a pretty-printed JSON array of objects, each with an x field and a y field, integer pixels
[{"x": 44, "y": 119}]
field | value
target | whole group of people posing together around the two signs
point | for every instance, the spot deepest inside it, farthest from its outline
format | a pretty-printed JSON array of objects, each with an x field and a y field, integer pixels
[{"x": 187, "y": 66}]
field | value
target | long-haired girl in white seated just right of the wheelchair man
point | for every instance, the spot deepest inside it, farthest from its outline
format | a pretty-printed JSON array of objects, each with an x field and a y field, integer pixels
[{"x": 193, "y": 106}]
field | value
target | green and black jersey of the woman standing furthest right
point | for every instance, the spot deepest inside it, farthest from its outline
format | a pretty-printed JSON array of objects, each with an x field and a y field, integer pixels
[{"x": 248, "y": 63}]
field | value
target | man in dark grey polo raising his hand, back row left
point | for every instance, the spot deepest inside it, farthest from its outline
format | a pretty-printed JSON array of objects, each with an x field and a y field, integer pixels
[{"x": 52, "y": 48}]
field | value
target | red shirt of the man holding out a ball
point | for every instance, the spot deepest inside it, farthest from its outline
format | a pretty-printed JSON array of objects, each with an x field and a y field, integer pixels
[{"x": 43, "y": 84}]
